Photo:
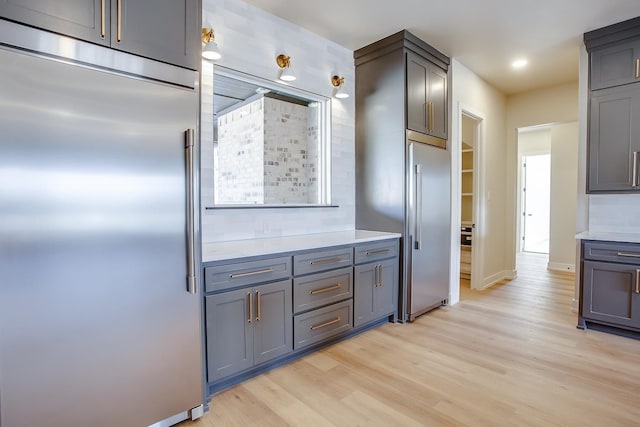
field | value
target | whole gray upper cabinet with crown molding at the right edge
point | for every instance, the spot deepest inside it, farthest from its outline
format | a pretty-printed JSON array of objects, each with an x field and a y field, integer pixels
[{"x": 613, "y": 152}]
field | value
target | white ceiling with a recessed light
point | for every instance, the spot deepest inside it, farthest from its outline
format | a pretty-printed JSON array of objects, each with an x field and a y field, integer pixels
[{"x": 484, "y": 35}]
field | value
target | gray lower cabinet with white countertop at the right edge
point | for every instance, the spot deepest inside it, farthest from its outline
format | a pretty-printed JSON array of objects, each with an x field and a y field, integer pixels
[{"x": 610, "y": 284}]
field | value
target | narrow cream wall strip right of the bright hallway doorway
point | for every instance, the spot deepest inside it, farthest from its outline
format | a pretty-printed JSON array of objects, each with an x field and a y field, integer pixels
[{"x": 564, "y": 182}]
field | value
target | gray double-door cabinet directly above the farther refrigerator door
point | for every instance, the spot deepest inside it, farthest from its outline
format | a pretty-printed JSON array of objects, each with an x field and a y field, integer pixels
[{"x": 426, "y": 97}]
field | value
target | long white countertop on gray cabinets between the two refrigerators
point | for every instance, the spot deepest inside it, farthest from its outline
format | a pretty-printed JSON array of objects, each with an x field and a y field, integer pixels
[{"x": 220, "y": 251}]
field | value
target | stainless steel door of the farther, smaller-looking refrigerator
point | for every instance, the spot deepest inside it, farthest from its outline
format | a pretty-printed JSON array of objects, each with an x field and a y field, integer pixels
[{"x": 429, "y": 227}]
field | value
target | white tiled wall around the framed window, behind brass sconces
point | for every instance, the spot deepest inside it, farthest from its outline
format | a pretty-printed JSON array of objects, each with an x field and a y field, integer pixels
[{"x": 250, "y": 39}]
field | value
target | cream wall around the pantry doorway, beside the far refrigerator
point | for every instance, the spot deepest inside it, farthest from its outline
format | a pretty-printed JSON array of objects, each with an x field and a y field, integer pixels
[{"x": 472, "y": 94}]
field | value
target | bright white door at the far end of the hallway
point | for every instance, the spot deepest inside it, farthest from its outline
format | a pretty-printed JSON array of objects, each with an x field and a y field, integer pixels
[{"x": 536, "y": 196}]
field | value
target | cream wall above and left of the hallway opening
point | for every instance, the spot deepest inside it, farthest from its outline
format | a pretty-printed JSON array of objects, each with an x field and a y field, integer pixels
[{"x": 558, "y": 104}]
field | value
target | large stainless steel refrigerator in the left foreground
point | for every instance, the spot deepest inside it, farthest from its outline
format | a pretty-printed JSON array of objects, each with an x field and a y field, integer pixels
[{"x": 99, "y": 322}]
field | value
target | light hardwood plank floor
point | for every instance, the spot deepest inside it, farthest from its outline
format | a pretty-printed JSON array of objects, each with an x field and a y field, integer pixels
[{"x": 507, "y": 356}]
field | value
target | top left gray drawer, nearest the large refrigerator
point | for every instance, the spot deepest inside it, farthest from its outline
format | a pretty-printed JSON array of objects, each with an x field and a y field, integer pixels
[{"x": 228, "y": 276}]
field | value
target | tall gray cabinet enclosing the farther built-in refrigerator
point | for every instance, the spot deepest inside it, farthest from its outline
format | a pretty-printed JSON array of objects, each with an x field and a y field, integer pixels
[{"x": 401, "y": 116}]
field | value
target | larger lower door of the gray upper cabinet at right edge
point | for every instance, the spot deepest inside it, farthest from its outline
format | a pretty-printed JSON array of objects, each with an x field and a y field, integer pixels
[{"x": 614, "y": 140}]
